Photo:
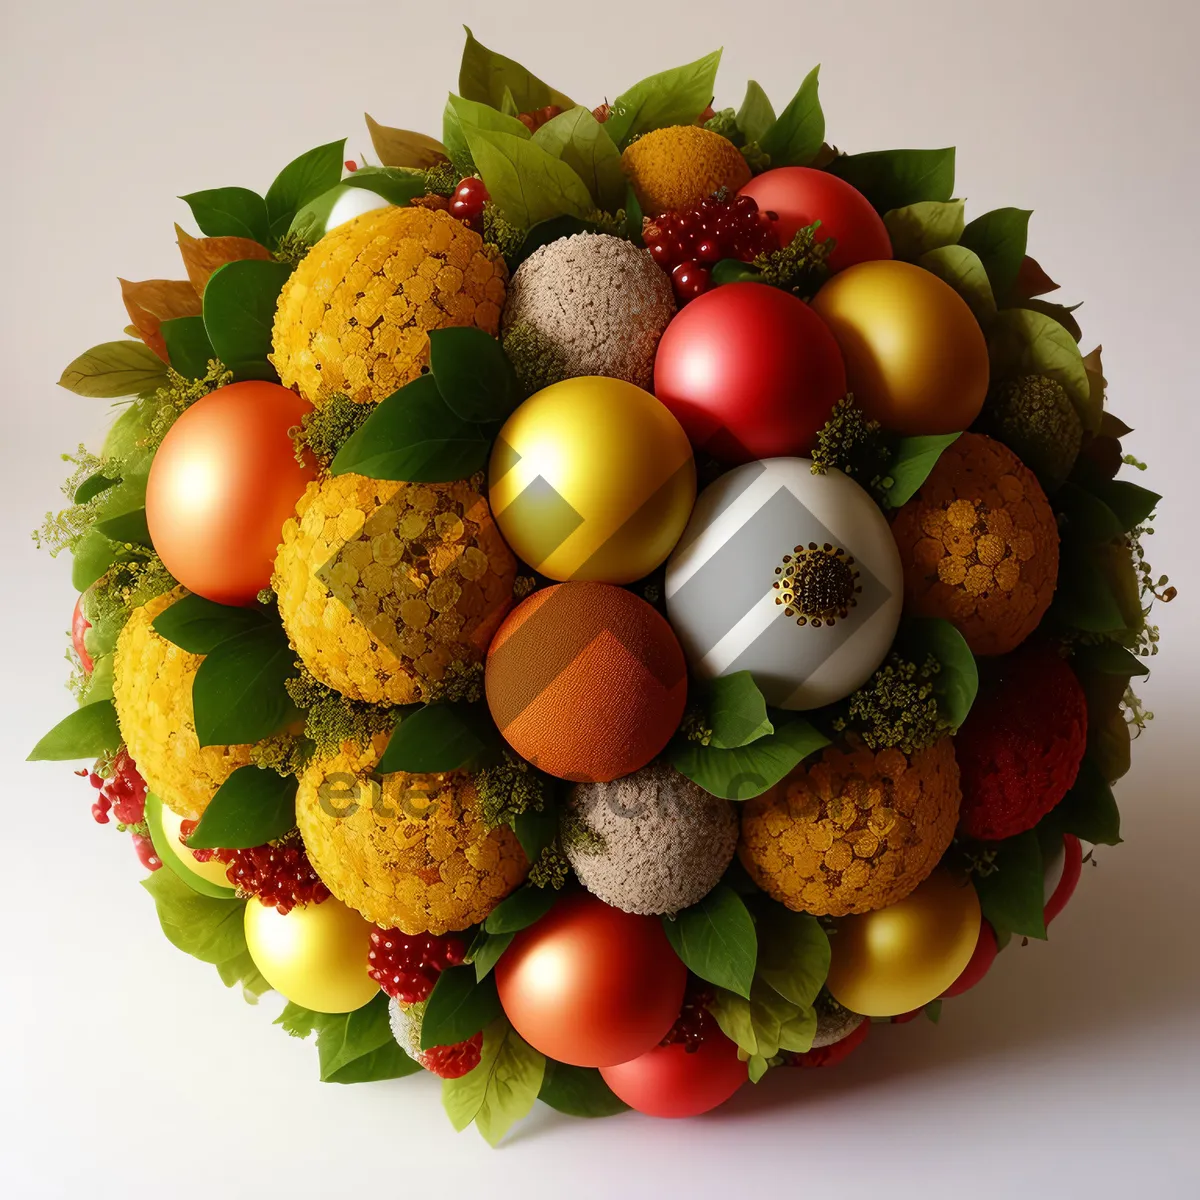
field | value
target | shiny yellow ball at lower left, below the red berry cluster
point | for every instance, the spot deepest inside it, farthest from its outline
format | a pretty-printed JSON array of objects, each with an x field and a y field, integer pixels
[{"x": 316, "y": 956}]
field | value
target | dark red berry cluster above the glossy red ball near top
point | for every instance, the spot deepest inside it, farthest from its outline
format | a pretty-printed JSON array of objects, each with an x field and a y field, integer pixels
[{"x": 688, "y": 244}]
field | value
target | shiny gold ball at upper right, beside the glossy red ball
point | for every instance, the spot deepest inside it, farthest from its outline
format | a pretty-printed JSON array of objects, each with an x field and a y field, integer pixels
[{"x": 916, "y": 358}]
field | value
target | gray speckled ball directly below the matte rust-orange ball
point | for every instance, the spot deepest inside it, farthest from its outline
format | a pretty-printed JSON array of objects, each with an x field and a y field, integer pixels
[{"x": 650, "y": 843}]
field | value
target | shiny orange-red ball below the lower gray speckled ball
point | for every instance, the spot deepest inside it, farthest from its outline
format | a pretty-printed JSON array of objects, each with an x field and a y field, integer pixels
[{"x": 592, "y": 986}]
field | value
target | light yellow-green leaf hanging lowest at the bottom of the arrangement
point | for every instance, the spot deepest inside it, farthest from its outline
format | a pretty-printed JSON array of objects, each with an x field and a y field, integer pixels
[{"x": 501, "y": 1090}]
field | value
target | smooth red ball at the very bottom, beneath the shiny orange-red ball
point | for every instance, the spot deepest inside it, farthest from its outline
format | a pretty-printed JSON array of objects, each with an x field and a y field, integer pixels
[{"x": 670, "y": 1082}]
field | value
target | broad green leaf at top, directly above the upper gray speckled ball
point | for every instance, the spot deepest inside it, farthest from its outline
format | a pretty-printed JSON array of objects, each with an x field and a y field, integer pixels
[{"x": 525, "y": 181}]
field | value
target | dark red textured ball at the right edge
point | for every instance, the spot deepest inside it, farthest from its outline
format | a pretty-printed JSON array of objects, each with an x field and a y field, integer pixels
[{"x": 1022, "y": 746}]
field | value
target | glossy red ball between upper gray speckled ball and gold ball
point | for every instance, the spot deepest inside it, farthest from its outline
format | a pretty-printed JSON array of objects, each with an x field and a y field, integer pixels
[{"x": 751, "y": 373}]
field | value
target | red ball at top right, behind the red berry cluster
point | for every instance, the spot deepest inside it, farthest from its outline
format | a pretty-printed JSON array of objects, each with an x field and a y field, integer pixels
[{"x": 801, "y": 196}]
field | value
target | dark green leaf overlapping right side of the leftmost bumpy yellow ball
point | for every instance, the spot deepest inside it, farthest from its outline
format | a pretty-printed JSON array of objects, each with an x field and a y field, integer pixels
[{"x": 238, "y": 695}]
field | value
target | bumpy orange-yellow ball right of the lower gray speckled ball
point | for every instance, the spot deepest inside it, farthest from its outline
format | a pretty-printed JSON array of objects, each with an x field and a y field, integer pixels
[{"x": 855, "y": 831}]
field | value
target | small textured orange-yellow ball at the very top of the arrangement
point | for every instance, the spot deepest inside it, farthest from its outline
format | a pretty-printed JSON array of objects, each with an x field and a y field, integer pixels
[{"x": 677, "y": 167}]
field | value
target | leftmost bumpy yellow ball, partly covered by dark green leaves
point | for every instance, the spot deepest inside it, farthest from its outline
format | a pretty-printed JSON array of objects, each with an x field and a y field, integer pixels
[{"x": 153, "y": 694}]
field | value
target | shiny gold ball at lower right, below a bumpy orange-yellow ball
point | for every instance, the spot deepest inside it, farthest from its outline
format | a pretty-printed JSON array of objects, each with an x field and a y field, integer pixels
[{"x": 896, "y": 959}]
